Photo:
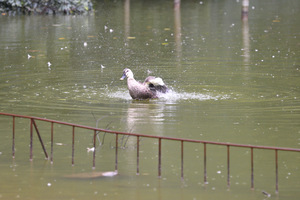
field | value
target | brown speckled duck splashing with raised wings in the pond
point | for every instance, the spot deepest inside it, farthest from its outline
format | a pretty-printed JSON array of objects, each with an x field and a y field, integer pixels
[{"x": 149, "y": 89}]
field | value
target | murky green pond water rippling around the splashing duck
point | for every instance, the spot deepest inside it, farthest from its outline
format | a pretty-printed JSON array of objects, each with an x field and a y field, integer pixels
[{"x": 231, "y": 80}]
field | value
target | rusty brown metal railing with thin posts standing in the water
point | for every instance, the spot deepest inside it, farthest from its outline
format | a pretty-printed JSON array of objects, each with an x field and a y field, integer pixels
[{"x": 138, "y": 136}]
